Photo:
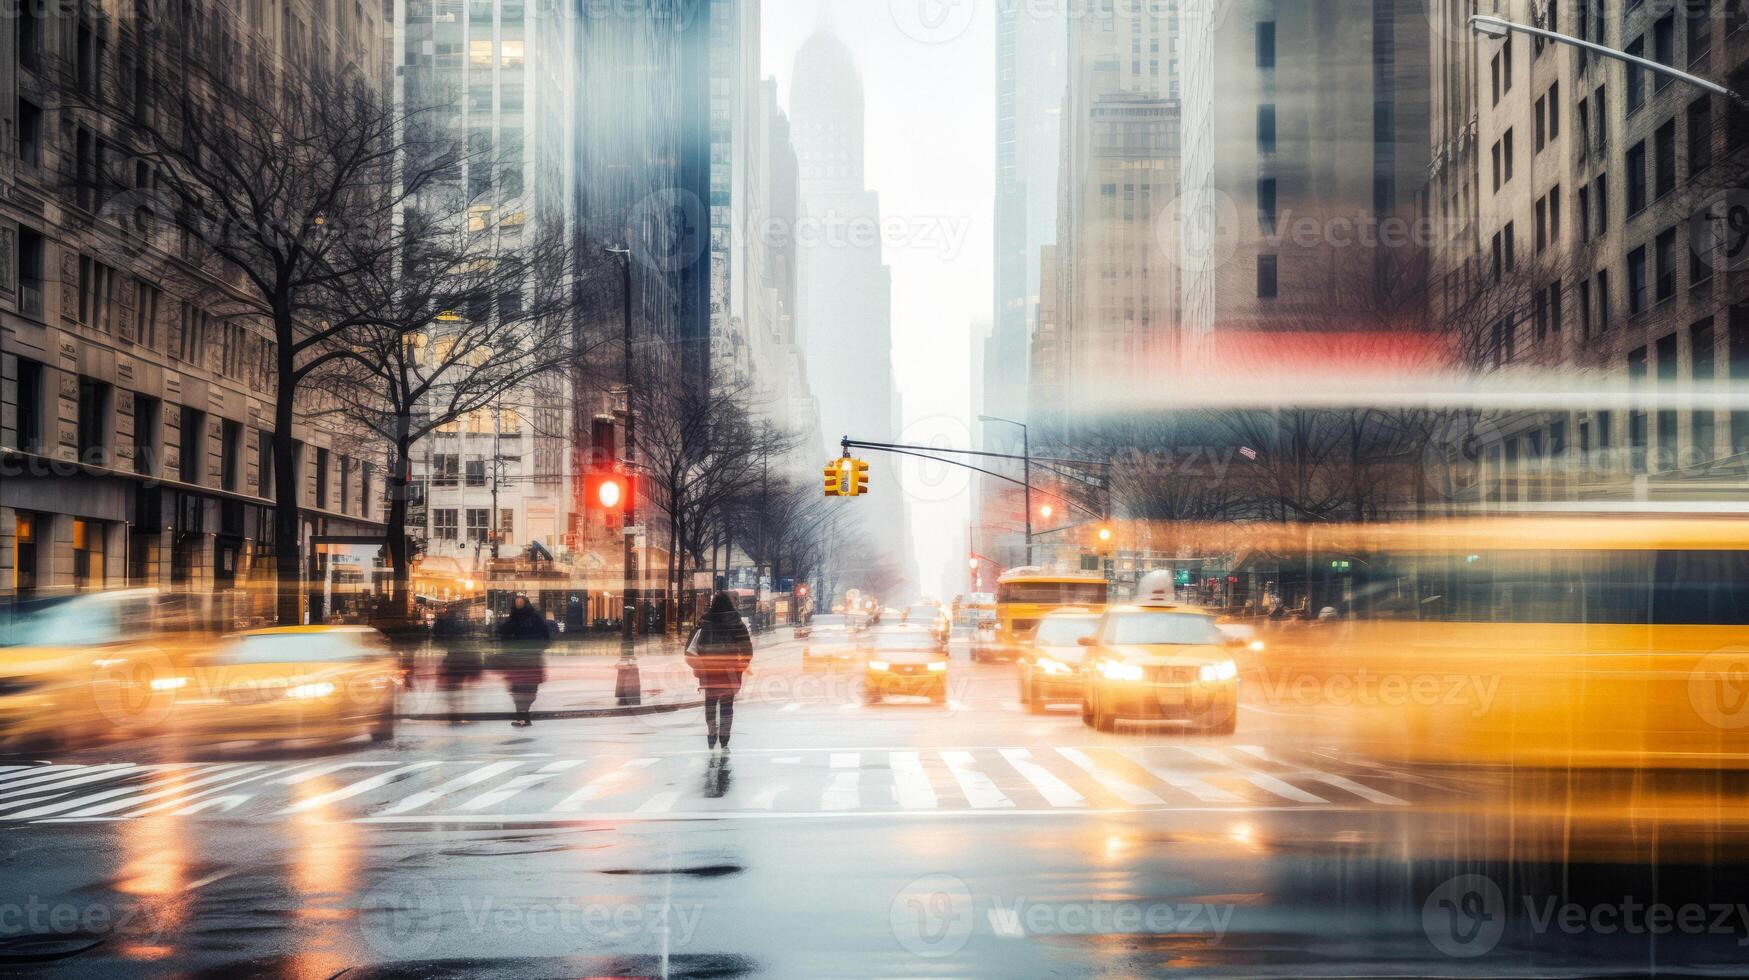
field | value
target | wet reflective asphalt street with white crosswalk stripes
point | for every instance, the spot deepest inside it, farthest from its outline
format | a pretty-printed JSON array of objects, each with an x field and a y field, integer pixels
[{"x": 842, "y": 839}]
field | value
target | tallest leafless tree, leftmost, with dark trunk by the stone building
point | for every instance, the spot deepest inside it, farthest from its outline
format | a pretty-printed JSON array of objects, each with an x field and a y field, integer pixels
[{"x": 281, "y": 178}]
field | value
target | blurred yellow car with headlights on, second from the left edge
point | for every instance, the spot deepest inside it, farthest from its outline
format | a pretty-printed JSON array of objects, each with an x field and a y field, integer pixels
[{"x": 282, "y": 683}]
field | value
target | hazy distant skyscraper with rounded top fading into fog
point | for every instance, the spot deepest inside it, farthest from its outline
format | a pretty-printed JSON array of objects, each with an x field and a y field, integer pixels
[{"x": 846, "y": 291}]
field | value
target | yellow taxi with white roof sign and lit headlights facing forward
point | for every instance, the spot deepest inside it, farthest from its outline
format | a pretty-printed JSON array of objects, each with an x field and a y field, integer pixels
[{"x": 1160, "y": 661}]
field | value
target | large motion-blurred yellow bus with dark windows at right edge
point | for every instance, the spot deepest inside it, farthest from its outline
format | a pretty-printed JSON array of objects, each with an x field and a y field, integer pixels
[{"x": 1554, "y": 640}]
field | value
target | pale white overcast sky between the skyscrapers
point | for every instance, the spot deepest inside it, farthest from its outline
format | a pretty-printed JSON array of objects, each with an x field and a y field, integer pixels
[{"x": 930, "y": 81}]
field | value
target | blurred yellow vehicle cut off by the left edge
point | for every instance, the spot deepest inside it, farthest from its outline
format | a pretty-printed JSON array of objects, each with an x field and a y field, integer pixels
[{"x": 67, "y": 662}]
